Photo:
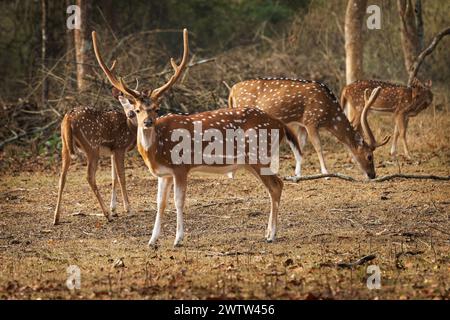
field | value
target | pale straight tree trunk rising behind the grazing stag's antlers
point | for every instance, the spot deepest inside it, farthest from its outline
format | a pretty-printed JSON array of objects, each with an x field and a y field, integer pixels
[{"x": 354, "y": 17}]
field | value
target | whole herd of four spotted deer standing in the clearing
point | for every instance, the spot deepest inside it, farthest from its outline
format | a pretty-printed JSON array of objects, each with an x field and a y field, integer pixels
[{"x": 261, "y": 113}]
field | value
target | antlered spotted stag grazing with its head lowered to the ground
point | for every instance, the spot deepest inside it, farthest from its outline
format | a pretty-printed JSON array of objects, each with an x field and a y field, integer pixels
[{"x": 305, "y": 106}]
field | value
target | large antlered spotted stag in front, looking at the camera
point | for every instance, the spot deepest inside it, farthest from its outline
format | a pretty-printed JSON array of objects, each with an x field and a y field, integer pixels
[{"x": 157, "y": 141}]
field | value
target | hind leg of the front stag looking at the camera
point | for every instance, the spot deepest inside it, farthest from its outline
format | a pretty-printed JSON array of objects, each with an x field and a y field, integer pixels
[{"x": 274, "y": 186}]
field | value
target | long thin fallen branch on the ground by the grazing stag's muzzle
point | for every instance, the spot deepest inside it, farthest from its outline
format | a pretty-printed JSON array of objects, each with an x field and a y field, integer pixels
[{"x": 380, "y": 179}]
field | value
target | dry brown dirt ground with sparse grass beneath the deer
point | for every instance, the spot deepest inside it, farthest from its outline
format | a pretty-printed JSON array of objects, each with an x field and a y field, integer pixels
[{"x": 404, "y": 223}]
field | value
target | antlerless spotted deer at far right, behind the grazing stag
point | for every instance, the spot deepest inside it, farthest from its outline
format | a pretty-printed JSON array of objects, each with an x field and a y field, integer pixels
[{"x": 404, "y": 102}]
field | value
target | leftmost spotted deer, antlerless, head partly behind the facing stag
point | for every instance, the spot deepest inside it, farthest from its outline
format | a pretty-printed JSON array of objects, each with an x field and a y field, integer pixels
[{"x": 97, "y": 133}]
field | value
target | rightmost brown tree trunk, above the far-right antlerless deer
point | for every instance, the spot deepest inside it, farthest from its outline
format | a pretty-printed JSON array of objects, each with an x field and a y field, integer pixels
[{"x": 409, "y": 32}]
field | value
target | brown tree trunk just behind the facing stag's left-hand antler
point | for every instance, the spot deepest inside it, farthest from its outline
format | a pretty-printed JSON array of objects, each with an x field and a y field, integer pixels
[{"x": 81, "y": 45}]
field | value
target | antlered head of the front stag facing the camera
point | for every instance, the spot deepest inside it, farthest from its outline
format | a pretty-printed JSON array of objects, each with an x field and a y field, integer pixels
[{"x": 141, "y": 107}]
